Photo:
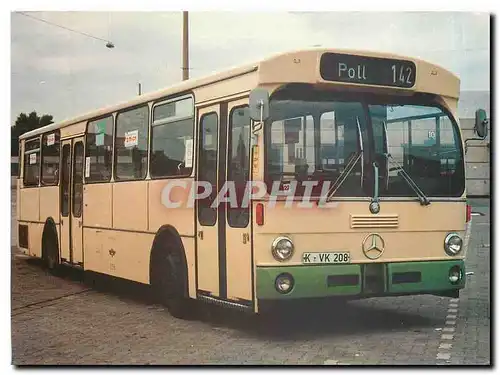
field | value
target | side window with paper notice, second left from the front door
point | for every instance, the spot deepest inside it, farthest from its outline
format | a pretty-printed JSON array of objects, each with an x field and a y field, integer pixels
[{"x": 131, "y": 144}]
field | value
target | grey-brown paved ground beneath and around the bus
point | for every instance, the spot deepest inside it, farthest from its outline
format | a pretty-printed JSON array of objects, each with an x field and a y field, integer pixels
[{"x": 62, "y": 320}]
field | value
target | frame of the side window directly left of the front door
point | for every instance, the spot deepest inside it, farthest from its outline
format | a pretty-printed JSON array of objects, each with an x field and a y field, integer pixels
[{"x": 163, "y": 122}]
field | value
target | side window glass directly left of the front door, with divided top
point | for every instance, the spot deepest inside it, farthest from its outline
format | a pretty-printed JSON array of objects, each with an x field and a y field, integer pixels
[{"x": 172, "y": 139}]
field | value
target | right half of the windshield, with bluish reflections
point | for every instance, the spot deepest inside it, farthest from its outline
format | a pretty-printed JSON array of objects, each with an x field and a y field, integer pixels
[{"x": 424, "y": 141}]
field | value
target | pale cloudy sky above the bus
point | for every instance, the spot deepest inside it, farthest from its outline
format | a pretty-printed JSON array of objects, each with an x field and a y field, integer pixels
[{"x": 63, "y": 73}]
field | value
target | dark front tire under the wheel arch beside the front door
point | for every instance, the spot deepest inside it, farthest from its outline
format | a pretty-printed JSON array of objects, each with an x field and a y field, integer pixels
[{"x": 169, "y": 281}]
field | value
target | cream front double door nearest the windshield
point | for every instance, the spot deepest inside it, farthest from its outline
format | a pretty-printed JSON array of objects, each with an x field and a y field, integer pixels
[{"x": 224, "y": 257}]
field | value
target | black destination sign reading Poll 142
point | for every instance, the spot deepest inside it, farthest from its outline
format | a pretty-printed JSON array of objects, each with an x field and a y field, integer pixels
[{"x": 367, "y": 70}]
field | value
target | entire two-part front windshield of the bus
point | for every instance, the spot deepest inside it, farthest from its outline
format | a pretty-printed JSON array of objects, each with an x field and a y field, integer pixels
[{"x": 311, "y": 136}]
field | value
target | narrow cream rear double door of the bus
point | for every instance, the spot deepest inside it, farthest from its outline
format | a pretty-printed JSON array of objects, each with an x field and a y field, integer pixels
[{"x": 71, "y": 194}]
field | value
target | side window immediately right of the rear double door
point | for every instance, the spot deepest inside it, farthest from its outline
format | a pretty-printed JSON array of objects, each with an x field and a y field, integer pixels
[{"x": 98, "y": 151}]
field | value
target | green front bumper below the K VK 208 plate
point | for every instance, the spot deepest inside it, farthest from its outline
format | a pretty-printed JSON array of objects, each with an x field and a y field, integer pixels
[{"x": 362, "y": 280}]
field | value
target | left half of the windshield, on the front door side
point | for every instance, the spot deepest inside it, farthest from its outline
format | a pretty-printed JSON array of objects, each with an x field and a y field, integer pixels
[{"x": 312, "y": 140}]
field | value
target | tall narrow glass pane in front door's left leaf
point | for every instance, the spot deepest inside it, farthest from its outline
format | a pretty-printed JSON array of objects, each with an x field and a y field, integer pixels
[{"x": 207, "y": 166}]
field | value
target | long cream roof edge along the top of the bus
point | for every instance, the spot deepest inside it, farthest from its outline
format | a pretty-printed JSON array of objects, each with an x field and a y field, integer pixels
[{"x": 187, "y": 85}]
